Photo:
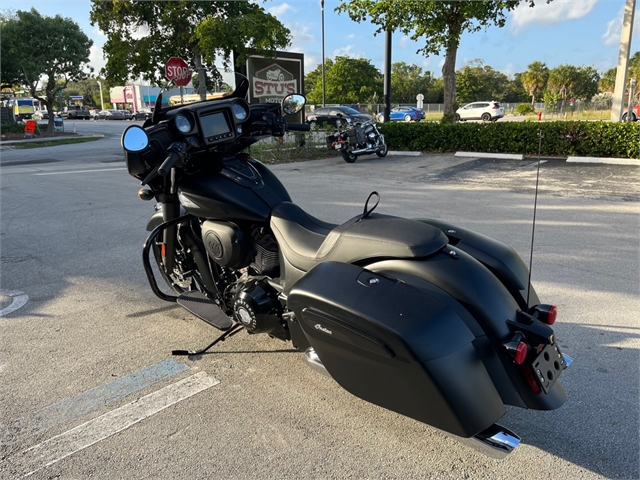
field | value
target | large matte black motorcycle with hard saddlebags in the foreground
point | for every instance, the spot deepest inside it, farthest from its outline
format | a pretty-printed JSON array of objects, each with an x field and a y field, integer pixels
[{"x": 427, "y": 319}]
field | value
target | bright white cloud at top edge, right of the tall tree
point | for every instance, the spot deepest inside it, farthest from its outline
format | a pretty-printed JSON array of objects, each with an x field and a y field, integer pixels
[{"x": 549, "y": 13}]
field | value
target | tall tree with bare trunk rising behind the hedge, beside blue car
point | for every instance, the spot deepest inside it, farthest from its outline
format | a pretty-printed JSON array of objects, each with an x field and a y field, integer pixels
[{"x": 439, "y": 24}]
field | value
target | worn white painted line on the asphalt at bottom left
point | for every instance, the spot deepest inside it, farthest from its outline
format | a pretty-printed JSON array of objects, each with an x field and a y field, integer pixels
[{"x": 66, "y": 444}]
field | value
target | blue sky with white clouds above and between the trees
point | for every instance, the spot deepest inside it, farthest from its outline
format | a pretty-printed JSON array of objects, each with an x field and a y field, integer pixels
[{"x": 579, "y": 32}]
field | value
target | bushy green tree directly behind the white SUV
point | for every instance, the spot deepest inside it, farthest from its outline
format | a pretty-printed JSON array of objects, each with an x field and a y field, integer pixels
[{"x": 477, "y": 81}]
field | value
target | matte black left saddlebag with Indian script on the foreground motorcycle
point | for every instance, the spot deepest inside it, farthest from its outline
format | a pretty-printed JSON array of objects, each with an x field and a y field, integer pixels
[{"x": 396, "y": 346}]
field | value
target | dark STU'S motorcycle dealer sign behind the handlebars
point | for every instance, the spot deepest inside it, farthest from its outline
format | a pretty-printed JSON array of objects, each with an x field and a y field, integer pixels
[{"x": 272, "y": 79}]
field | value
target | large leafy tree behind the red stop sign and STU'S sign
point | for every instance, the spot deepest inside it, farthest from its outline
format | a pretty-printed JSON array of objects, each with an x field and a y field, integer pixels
[{"x": 143, "y": 35}]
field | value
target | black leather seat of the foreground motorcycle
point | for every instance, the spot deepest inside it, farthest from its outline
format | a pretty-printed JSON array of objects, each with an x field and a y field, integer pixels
[{"x": 306, "y": 241}]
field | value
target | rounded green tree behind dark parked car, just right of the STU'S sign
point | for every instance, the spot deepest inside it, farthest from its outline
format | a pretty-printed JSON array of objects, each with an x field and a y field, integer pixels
[{"x": 347, "y": 80}]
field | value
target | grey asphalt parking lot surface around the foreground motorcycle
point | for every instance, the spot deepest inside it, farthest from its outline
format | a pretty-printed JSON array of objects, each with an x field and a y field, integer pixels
[{"x": 89, "y": 388}]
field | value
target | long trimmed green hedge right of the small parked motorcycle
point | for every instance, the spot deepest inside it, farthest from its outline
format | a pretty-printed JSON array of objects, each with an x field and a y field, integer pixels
[{"x": 585, "y": 139}]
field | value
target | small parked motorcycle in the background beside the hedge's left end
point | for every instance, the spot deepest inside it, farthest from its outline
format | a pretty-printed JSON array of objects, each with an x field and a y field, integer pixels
[{"x": 359, "y": 139}]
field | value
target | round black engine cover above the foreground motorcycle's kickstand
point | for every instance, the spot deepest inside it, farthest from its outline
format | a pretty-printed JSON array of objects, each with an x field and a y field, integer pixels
[{"x": 257, "y": 308}]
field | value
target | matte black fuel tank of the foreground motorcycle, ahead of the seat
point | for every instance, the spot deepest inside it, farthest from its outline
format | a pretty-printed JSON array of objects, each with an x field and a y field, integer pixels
[{"x": 242, "y": 190}]
